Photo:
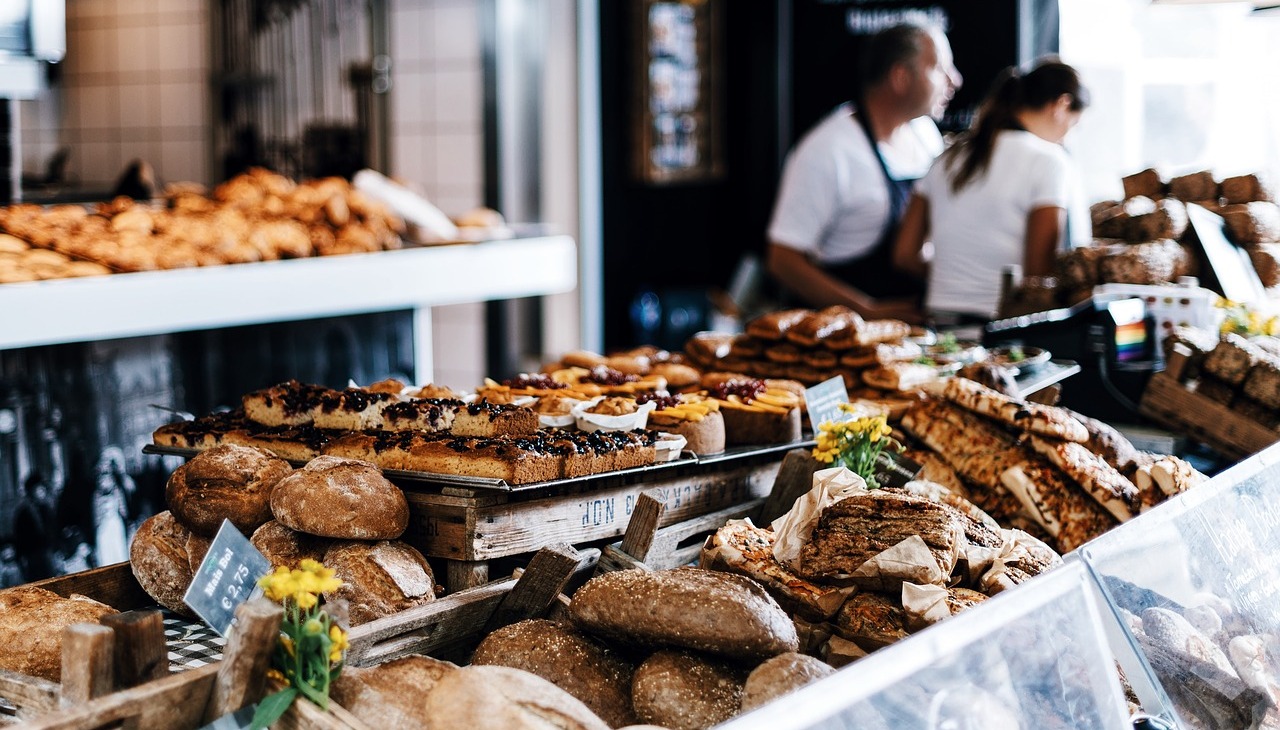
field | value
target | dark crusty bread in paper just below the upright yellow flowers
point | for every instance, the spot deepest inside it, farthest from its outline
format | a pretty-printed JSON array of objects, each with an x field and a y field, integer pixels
[{"x": 858, "y": 528}]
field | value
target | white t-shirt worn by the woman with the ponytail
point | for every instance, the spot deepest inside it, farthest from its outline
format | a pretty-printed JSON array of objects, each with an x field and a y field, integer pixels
[{"x": 980, "y": 231}]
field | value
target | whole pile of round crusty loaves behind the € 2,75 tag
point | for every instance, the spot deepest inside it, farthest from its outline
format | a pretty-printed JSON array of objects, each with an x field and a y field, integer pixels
[{"x": 339, "y": 512}]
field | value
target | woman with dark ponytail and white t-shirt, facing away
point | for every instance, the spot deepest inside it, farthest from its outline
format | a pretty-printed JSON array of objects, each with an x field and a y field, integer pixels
[{"x": 999, "y": 197}]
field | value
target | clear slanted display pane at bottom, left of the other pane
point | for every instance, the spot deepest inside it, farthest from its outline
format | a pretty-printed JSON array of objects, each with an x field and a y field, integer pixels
[{"x": 1032, "y": 658}]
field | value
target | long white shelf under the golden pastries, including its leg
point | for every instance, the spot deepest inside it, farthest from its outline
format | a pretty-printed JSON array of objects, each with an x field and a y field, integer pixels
[{"x": 182, "y": 300}]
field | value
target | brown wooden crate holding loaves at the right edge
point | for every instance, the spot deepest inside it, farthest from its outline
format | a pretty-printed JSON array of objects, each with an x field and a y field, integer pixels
[{"x": 1174, "y": 405}]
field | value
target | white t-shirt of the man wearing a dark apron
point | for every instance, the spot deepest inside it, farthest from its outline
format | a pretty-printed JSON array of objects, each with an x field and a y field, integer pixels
[{"x": 834, "y": 203}]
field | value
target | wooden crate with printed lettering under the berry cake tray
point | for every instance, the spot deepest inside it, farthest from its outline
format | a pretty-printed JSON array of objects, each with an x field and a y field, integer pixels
[{"x": 469, "y": 528}]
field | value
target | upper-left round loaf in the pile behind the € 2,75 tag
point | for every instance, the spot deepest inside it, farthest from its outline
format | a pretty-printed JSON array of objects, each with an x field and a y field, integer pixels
[{"x": 228, "y": 481}]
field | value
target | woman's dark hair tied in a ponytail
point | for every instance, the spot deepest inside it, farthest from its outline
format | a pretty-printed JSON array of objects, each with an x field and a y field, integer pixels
[{"x": 1012, "y": 93}]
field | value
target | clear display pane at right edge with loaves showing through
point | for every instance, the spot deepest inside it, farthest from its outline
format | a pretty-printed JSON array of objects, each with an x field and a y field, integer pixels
[{"x": 1195, "y": 595}]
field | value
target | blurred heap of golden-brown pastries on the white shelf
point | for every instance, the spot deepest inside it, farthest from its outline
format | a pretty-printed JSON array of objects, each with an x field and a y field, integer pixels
[{"x": 254, "y": 217}]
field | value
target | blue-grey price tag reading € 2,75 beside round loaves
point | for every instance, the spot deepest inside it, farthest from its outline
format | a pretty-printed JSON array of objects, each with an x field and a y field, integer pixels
[{"x": 227, "y": 578}]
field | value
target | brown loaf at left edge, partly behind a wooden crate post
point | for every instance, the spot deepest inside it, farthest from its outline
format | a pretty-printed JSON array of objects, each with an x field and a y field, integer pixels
[{"x": 31, "y": 628}]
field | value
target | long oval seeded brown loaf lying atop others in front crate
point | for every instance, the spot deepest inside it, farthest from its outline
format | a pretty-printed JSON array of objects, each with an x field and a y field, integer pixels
[{"x": 691, "y": 608}]
